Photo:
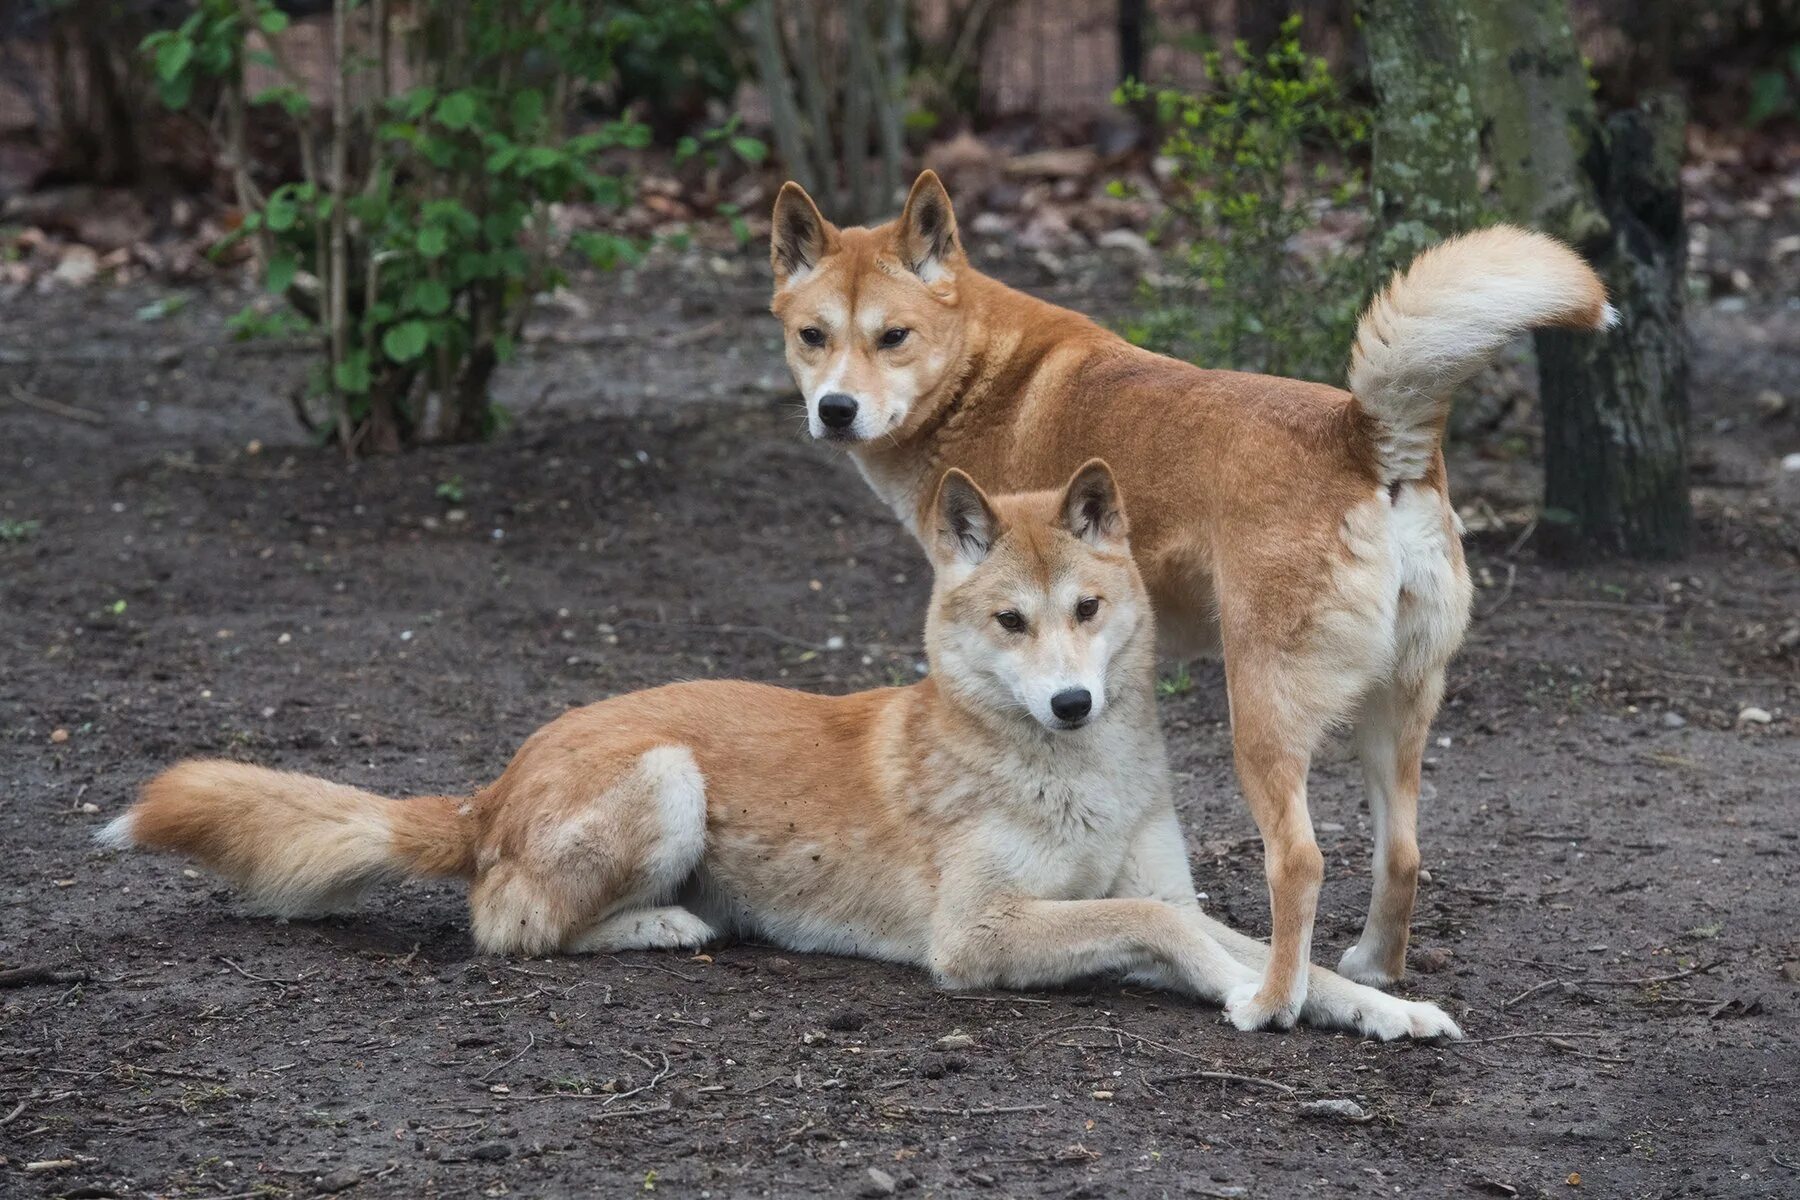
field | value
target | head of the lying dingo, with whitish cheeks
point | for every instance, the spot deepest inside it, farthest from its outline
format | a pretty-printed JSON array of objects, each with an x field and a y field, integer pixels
[{"x": 1038, "y": 605}]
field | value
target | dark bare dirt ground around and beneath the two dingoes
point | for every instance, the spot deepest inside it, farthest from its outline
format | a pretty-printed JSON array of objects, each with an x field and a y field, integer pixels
[{"x": 1612, "y": 848}]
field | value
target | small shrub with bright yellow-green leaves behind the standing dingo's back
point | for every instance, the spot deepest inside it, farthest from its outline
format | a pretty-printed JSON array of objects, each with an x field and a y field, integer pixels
[{"x": 1252, "y": 157}]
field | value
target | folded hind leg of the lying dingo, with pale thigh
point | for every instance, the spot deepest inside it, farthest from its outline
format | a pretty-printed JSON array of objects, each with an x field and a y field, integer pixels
[{"x": 597, "y": 872}]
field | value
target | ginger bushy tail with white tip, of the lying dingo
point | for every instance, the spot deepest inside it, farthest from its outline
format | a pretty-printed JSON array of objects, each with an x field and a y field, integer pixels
[{"x": 292, "y": 843}]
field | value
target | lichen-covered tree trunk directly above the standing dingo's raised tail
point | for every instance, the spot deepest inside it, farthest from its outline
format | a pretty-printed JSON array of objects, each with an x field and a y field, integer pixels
[{"x": 1426, "y": 136}]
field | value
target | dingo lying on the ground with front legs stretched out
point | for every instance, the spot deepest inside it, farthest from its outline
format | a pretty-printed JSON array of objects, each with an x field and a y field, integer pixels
[{"x": 1003, "y": 823}]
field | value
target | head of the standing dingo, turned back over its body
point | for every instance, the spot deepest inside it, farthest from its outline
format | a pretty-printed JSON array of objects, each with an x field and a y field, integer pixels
[{"x": 870, "y": 314}]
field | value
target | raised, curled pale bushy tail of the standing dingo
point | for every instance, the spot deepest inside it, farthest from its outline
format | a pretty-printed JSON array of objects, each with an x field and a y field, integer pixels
[{"x": 1446, "y": 316}]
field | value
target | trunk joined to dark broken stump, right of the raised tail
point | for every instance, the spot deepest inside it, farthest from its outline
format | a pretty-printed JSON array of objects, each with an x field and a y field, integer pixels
[{"x": 1615, "y": 402}]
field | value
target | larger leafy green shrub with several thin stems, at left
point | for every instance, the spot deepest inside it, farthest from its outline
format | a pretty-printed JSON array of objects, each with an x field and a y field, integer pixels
[{"x": 418, "y": 231}]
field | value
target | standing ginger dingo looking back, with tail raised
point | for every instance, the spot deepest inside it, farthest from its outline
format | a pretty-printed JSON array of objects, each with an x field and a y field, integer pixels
[{"x": 1302, "y": 530}]
